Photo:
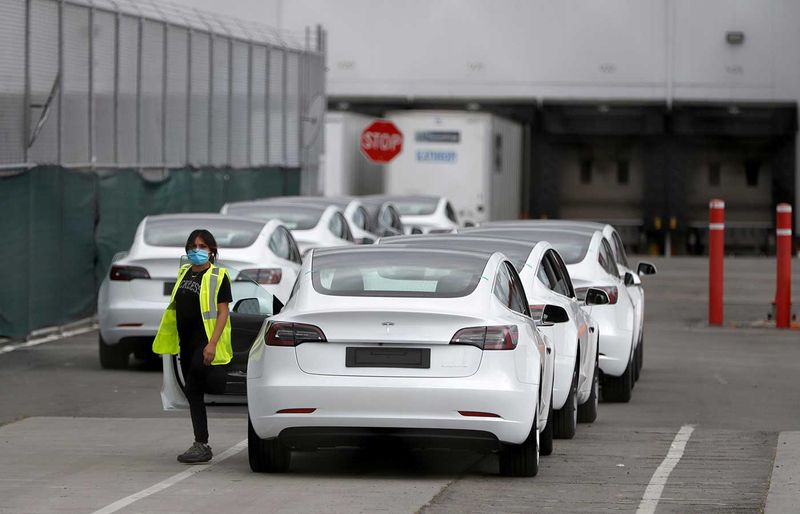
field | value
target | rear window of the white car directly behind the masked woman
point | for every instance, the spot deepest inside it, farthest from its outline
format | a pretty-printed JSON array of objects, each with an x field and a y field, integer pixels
[{"x": 229, "y": 233}]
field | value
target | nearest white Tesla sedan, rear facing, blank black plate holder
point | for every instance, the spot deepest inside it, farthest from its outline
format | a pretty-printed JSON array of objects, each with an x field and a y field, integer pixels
[{"x": 435, "y": 347}]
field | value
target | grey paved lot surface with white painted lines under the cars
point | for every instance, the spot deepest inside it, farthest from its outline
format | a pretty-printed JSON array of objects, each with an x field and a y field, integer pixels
[{"x": 75, "y": 438}]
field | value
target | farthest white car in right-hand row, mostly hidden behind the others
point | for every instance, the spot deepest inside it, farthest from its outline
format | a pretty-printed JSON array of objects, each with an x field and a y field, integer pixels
[{"x": 635, "y": 287}]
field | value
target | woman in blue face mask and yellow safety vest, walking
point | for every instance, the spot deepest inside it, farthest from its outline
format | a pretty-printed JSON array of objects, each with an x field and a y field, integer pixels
[{"x": 196, "y": 325}]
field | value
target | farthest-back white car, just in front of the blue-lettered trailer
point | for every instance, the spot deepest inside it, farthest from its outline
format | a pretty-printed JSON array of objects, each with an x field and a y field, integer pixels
[{"x": 425, "y": 214}]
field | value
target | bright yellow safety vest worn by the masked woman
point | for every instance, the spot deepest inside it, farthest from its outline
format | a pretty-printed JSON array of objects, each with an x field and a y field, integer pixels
[{"x": 167, "y": 342}]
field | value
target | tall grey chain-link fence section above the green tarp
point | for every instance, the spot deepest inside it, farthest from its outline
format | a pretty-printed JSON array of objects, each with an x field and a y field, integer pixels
[{"x": 124, "y": 84}]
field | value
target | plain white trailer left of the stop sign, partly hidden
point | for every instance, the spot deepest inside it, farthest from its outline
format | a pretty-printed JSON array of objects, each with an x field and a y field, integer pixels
[{"x": 344, "y": 170}]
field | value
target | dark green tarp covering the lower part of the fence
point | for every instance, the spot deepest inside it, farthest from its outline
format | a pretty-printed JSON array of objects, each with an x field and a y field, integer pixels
[{"x": 63, "y": 227}]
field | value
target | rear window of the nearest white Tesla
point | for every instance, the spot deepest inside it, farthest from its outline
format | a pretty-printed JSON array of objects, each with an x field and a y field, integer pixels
[{"x": 406, "y": 273}]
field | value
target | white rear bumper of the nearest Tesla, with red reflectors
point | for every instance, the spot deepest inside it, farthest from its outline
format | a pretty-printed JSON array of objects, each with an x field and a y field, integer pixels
[{"x": 405, "y": 403}]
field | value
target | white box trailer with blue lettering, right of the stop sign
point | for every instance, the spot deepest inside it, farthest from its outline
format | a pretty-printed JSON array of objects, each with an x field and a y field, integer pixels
[{"x": 472, "y": 158}]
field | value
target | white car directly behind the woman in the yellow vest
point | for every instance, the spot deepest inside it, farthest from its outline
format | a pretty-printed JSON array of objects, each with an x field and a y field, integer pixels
[{"x": 136, "y": 290}]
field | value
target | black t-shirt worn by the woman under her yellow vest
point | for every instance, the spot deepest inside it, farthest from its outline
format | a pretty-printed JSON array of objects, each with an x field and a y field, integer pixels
[{"x": 189, "y": 317}]
